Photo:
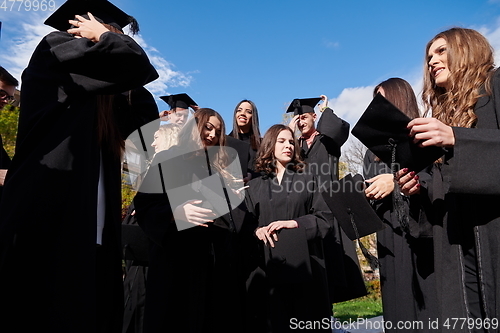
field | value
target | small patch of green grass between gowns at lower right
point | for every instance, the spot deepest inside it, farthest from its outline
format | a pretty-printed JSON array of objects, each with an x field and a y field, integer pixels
[{"x": 363, "y": 307}]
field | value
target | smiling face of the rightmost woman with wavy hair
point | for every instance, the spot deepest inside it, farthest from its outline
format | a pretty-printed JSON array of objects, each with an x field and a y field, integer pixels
[{"x": 438, "y": 63}]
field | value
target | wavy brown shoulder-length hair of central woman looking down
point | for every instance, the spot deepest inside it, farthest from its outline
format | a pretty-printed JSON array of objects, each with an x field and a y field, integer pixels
[{"x": 266, "y": 161}]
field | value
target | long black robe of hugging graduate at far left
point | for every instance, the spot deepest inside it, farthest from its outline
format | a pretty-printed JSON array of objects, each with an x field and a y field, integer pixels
[{"x": 50, "y": 265}]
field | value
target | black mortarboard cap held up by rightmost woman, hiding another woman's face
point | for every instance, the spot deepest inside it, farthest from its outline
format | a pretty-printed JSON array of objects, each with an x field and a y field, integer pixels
[{"x": 383, "y": 128}]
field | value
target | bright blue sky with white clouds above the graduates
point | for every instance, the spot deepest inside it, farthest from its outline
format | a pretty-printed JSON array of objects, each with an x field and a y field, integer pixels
[{"x": 273, "y": 51}]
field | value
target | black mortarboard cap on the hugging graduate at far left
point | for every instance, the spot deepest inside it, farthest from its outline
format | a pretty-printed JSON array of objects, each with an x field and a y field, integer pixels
[{"x": 101, "y": 9}]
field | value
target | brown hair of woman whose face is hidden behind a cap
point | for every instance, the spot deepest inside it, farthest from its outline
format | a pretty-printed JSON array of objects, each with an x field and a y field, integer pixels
[{"x": 400, "y": 93}]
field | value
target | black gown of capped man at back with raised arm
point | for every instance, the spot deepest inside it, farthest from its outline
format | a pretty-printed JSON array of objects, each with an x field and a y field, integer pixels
[{"x": 322, "y": 157}]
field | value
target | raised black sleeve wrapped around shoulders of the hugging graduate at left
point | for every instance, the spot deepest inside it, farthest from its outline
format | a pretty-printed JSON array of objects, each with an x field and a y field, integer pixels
[{"x": 114, "y": 64}]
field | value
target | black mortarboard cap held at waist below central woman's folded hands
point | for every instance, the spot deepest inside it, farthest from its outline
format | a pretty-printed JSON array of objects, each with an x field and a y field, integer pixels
[{"x": 288, "y": 261}]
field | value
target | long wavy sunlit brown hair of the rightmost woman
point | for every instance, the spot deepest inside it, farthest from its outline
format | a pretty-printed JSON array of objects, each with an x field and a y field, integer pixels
[{"x": 471, "y": 64}]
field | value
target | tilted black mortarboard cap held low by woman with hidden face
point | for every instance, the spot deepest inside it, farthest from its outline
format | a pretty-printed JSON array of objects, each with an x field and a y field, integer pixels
[{"x": 348, "y": 203}]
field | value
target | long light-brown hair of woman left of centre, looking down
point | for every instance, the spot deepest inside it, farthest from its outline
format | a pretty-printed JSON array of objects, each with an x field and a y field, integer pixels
[{"x": 190, "y": 136}]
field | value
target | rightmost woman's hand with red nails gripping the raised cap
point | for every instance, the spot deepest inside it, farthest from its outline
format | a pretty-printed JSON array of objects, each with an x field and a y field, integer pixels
[{"x": 431, "y": 132}]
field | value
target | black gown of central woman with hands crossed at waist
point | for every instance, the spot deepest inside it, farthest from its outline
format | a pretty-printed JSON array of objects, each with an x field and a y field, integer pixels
[{"x": 274, "y": 301}]
